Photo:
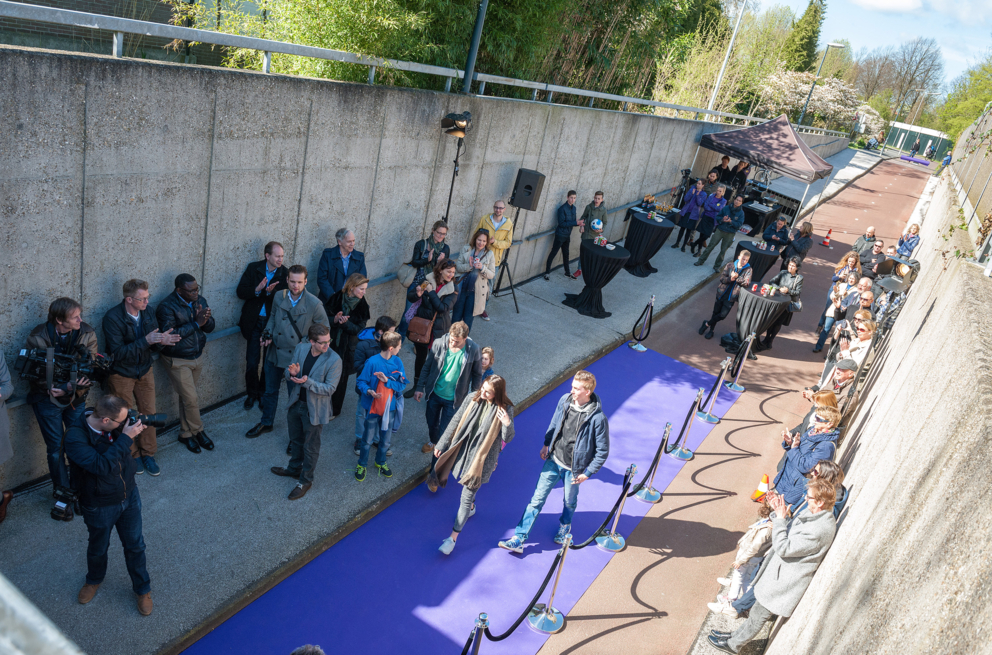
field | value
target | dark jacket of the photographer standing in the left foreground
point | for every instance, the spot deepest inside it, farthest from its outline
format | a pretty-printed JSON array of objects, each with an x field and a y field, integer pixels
[{"x": 102, "y": 466}]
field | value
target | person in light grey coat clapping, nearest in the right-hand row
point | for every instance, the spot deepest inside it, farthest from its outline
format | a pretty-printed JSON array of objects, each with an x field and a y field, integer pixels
[{"x": 798, "y": 547}]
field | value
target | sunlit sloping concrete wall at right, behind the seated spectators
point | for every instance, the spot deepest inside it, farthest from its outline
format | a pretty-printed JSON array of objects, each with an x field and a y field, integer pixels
[{"x": 909, "y": 570}]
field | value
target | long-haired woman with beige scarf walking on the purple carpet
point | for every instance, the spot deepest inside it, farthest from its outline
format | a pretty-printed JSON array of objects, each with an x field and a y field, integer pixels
[{"x": 470, "y": 448}]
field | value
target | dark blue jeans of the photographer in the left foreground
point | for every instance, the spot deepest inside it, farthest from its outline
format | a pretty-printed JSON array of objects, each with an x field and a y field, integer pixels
[{"x": 126, "y": 517}]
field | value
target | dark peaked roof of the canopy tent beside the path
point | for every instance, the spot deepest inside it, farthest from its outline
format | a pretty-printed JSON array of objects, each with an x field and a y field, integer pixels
[{"x": 774, "y": 145}]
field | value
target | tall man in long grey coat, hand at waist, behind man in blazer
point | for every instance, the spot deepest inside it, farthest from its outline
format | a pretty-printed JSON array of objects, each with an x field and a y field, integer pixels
[{"x": 292, "y": 313}]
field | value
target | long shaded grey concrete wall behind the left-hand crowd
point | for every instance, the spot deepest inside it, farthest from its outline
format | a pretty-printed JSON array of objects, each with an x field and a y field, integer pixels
[{"x": 112, "y": 169}]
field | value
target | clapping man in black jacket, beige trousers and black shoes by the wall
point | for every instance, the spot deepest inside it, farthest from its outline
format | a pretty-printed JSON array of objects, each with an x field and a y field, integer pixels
[{"x": 186, "y": 312}]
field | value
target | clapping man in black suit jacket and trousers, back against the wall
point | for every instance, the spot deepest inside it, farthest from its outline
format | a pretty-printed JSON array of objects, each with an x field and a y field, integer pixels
[{"x": 260, "y": 281}]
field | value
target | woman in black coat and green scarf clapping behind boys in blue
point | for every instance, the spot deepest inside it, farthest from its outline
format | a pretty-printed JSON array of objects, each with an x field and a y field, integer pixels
[{"x": 348, "y": 312}]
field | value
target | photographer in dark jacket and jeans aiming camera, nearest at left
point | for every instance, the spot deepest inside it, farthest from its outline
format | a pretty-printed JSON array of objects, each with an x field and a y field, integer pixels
[{"x": 99, "y": 449}]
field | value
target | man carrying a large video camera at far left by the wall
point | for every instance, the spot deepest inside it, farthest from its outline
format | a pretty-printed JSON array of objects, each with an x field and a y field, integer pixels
[{"x": 58, "y": 406}]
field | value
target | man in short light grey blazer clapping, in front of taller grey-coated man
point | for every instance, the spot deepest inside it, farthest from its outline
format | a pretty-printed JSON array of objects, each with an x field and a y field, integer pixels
[{"x": 313, "y": 376}]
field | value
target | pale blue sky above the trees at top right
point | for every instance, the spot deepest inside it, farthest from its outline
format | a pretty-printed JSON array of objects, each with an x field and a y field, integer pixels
[{"x": 963, "y": 28}]
